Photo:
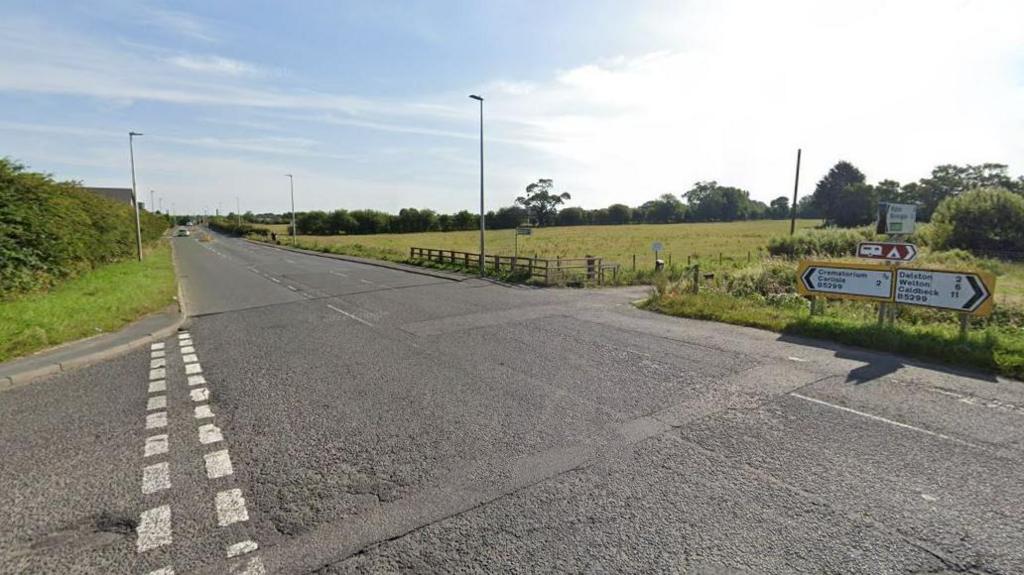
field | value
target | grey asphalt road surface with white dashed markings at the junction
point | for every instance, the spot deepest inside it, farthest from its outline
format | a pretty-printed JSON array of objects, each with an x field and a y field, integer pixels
[{"x": 326, "y": 417}]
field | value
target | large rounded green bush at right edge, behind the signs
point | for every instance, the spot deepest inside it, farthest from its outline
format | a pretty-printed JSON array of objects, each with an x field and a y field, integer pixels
[{"x": 987, "y": 220}]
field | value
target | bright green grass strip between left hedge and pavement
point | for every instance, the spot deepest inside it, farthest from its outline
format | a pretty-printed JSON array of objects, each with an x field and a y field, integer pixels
[{"x": 100, "y": 301}]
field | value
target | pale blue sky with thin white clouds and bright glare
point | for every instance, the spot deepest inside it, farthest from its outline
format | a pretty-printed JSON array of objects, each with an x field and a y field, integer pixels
[{"x": 366, "y": 102}]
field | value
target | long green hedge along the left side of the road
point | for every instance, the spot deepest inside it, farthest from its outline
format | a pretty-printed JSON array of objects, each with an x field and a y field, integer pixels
[{"x": 53, "y": 231}]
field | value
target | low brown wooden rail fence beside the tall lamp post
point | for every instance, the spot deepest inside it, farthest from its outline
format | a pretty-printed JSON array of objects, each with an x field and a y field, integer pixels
[{"x": 589, "y": 270}]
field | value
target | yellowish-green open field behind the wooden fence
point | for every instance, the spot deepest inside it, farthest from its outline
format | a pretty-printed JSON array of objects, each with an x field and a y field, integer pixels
[{"x": 614, "y": 244}]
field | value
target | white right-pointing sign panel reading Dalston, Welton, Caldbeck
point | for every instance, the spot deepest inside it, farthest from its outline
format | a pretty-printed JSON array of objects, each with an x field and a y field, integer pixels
[{"x": 945, "y": 290}]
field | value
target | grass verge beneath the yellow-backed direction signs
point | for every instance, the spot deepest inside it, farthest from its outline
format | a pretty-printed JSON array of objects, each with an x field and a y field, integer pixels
[{"x": 996, "y": 348}]
